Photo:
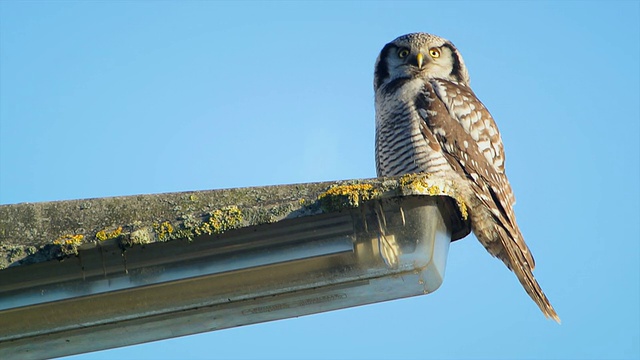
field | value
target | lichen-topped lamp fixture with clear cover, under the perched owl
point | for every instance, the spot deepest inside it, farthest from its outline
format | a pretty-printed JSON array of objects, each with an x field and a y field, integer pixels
[{"x": 337, "y": 245}]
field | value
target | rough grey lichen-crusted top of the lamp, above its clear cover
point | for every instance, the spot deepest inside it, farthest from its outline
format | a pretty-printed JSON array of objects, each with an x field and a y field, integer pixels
[{"x": 36, "y": 232}]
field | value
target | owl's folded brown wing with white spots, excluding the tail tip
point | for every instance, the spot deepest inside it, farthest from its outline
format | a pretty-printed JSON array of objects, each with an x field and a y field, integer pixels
[{"x": 457, "y": 122}]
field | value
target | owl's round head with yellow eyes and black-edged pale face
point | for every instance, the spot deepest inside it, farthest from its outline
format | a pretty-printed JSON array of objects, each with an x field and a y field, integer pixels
[{"x": 419, "y": 55}]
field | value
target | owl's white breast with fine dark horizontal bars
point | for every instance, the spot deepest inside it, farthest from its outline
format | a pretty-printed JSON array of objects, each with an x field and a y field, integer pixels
[{"x": 401, "y": 146}]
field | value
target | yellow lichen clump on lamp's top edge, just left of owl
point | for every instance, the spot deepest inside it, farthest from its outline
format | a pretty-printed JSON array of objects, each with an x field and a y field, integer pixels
[{"x": 347, "y": 196}]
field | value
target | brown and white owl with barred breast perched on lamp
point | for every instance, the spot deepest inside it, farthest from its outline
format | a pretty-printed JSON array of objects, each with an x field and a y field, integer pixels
[{"x": 429, "y": 120}]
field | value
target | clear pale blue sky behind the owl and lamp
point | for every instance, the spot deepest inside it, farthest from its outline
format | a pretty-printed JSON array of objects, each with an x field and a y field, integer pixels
[{"x": 107, "y": 98}]
